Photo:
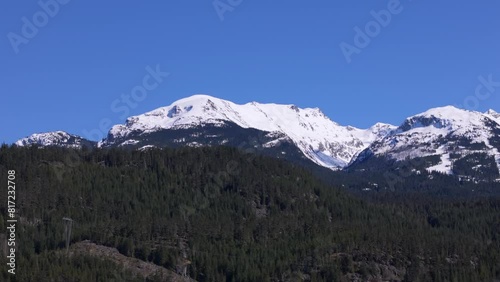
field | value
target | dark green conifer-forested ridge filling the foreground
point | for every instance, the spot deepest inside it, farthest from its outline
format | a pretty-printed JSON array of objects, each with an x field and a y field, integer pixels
[{"x": 223, "y": 215}]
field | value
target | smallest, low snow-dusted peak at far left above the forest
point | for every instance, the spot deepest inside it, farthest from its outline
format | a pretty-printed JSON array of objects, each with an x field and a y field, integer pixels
[{"x": 56, "y": 138}]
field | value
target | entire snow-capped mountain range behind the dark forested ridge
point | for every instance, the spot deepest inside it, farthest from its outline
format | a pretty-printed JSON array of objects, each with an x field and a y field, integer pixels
[{"x": 451, "y": 140}]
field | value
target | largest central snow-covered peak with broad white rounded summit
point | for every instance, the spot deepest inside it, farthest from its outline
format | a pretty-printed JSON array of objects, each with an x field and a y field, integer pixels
[{"x": 320, "y": 139}]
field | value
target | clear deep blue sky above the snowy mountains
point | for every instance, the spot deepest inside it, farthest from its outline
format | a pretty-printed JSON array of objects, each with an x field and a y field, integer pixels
[{"x": 284, "y": 51}]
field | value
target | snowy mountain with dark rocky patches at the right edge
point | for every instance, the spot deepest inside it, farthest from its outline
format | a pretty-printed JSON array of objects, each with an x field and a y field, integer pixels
[{"x": 456, "y": 136}]
